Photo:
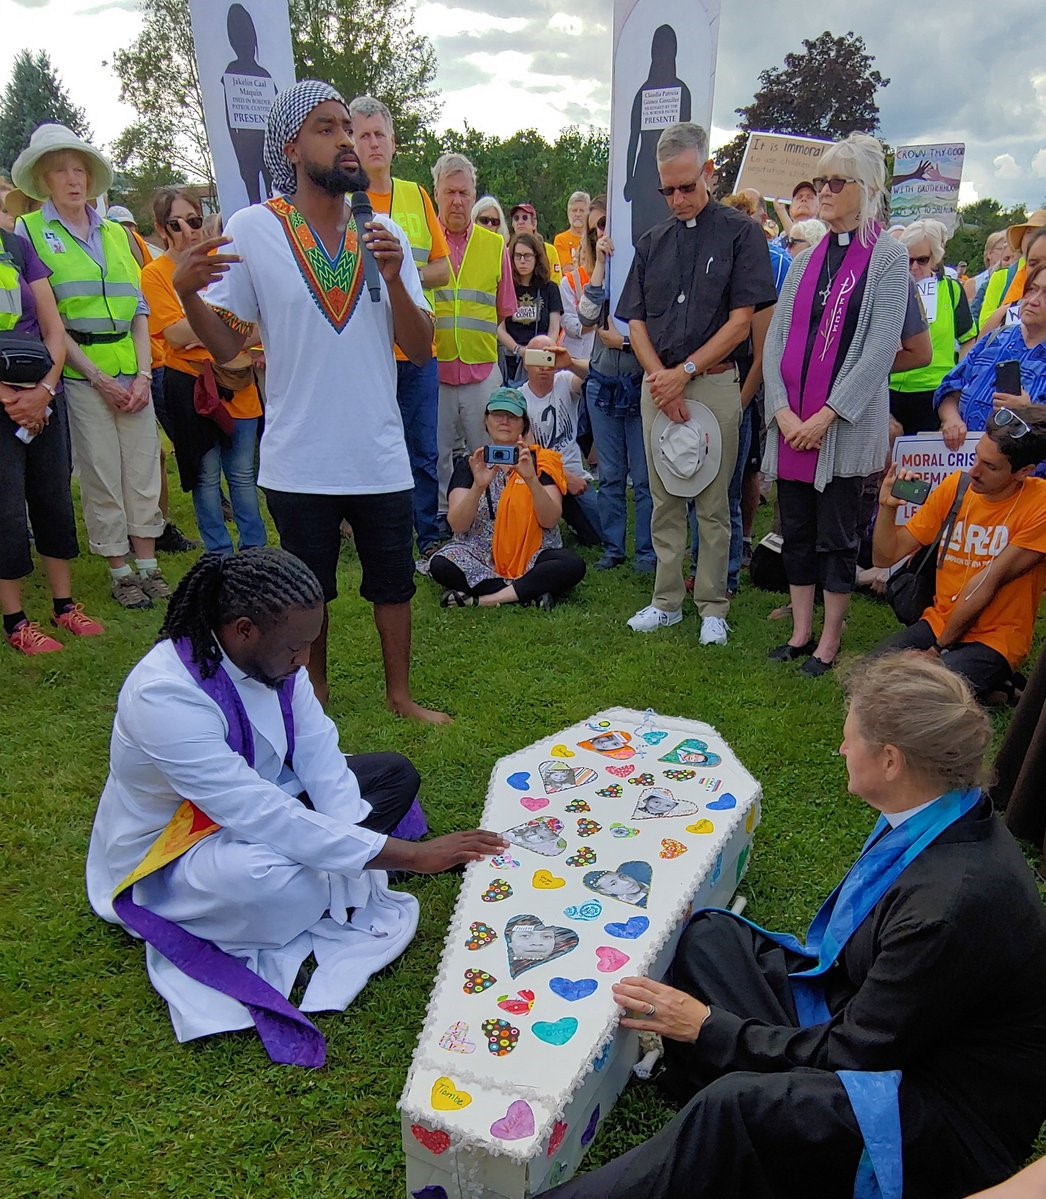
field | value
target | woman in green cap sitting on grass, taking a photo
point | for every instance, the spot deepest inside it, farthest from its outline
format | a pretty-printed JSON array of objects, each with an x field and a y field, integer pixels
[{"x": 507, "y": 546}]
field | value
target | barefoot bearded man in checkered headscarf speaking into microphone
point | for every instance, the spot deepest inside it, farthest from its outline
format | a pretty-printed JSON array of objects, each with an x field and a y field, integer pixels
[{"x": 333, "y": 449}]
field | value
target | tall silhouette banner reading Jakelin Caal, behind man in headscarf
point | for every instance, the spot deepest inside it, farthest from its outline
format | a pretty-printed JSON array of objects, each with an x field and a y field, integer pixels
[{"x": 244, "y": 58}]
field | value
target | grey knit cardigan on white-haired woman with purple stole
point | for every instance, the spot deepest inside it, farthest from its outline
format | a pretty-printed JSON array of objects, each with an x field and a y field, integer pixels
[{"x": 857, "y": 443}]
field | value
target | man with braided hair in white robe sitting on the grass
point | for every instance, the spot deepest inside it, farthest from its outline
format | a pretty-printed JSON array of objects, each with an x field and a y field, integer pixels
[{"x": 232, "y": 834}]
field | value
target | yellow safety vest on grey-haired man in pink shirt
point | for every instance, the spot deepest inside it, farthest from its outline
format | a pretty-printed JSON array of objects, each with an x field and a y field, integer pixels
[{"x": 467, "y": 311}]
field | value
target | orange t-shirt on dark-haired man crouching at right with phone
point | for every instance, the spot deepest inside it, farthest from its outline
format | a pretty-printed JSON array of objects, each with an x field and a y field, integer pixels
[{"x": 983, "y": 531}]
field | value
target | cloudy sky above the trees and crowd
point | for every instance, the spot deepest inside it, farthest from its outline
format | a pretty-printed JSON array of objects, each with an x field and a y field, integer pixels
[{"x": 960, "y": 73}]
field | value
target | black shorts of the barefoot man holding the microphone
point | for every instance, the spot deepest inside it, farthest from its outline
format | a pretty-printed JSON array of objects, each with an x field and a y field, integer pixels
[{"x": 310, "y": 527}]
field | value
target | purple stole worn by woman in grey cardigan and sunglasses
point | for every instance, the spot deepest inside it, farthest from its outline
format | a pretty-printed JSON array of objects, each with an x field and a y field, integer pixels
[{"x": 801, "y": 466}]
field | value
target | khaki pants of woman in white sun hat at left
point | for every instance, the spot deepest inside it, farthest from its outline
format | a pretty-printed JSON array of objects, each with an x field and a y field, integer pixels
[{"x": 117, "y": 457}]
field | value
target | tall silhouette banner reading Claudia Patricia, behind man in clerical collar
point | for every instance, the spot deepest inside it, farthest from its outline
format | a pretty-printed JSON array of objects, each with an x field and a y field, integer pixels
[{"x": 665, "y": 53}]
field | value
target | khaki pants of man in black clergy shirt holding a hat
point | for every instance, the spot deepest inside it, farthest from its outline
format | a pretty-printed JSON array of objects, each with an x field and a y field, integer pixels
[{"x": 669, "y": 525}]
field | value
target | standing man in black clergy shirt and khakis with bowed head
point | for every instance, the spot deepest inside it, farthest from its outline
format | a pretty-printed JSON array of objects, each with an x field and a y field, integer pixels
[{"x": 696, "y": 282}]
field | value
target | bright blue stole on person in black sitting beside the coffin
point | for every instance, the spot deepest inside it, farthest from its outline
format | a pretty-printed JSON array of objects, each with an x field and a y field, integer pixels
[{"x": 874, "y": 1095}]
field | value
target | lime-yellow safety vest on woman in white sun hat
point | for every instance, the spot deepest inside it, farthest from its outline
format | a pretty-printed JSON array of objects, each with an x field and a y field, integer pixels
[{"x": 91, "y": 300}]
